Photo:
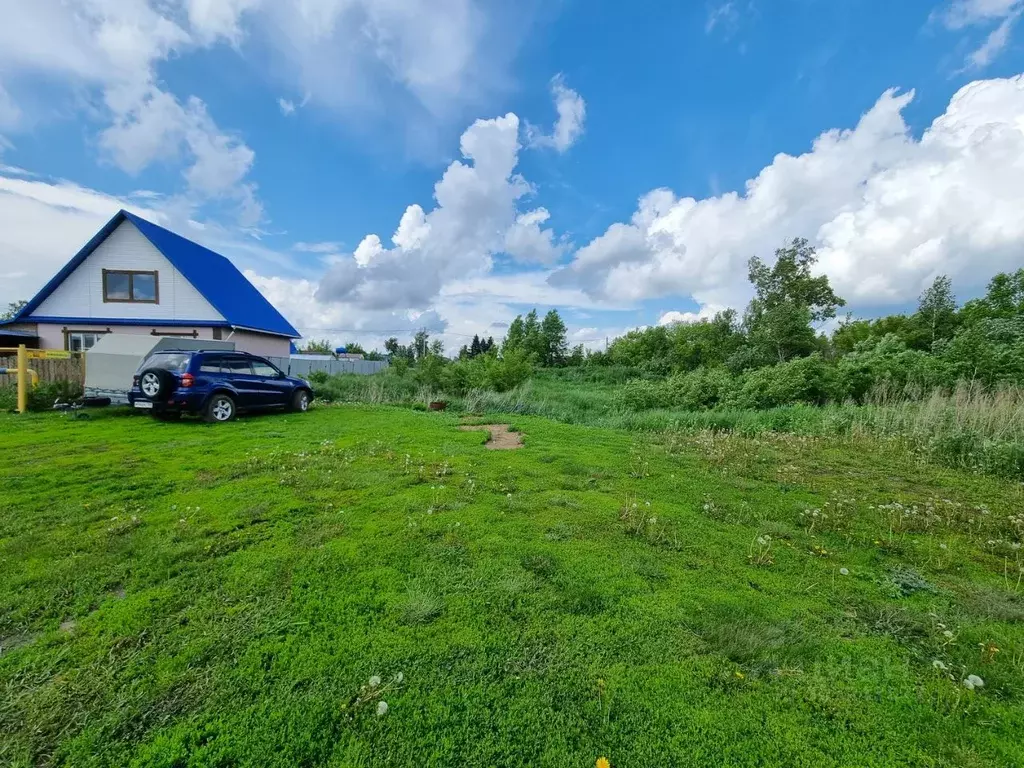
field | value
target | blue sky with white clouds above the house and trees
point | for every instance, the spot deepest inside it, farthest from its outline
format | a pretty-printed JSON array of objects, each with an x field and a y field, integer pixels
[{"x": 283, "y": 135}]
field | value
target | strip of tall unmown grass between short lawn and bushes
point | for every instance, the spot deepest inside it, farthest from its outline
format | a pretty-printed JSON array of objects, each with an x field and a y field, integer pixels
[{"x": 968, "y": 428}]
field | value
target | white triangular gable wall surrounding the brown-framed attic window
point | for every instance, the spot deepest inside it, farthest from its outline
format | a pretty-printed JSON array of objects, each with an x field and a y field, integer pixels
[{"x": 81, "y": 294}]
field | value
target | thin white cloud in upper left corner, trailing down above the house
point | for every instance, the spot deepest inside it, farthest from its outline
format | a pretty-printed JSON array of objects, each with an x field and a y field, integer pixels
[{"x": 113, "y": 50}]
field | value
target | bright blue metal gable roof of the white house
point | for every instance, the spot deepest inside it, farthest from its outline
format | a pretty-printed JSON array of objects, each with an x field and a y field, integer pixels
[{"x": 214, "y": 276}]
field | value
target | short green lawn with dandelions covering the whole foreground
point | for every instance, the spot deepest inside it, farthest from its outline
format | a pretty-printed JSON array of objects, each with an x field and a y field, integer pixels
[{"x": 184, "y": 594}]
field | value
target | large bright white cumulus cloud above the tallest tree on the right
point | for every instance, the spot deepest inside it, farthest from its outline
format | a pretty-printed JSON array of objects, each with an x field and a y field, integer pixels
[{"x": 887, "y": 211}]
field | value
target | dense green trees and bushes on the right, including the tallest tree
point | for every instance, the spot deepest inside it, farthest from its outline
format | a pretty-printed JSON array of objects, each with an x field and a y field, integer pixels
[{"x": 773, "y": 355}]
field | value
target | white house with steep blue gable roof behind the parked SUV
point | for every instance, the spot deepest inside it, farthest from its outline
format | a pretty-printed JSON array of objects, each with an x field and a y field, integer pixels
[{"x": 138, "y": 278}]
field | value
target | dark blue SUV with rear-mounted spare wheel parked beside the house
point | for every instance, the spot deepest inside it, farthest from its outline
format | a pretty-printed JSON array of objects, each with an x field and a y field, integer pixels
[{"x": 216, "y": 385}]
